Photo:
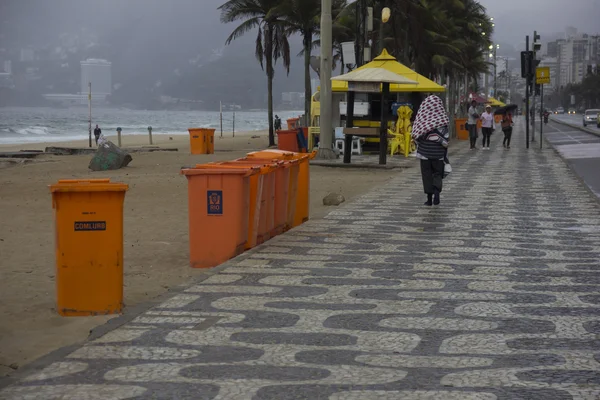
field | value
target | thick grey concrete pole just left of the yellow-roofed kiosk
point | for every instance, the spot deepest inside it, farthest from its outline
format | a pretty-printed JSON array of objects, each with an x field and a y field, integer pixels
[{"x": 326, "y": 125}]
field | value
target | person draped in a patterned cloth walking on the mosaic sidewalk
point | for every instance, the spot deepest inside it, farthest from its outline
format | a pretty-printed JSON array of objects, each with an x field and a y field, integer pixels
[{"x": 431, "y": 133}]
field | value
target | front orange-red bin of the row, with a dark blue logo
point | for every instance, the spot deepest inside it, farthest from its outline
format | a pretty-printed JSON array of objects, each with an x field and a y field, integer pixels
[{"x": 218, "y": 204}]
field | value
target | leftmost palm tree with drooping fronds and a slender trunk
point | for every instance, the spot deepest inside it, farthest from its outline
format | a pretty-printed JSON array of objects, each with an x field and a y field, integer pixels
[{"x": 271, "y": 41}]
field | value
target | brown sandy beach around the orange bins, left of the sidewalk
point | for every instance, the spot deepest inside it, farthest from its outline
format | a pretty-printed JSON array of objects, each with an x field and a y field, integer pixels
[{"x": 155, "y": 231}]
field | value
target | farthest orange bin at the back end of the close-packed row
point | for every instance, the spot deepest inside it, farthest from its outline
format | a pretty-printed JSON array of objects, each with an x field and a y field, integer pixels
[{"x": 302, "y": 209}]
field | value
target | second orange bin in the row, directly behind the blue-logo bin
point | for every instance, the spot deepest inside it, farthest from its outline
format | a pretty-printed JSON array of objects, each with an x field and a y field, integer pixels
[{"x": 258, "y": 217}]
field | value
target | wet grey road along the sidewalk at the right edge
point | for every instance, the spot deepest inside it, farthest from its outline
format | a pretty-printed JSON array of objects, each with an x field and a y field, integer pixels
[{"x": 580, "y": 149}]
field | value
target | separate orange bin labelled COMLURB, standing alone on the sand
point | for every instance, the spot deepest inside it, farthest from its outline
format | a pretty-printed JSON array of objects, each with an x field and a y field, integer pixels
[{"x": 88, "y": 218}]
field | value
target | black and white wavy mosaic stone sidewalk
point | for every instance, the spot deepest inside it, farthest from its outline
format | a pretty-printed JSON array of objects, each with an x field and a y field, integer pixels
[{"x": 493, "y": 295}]
